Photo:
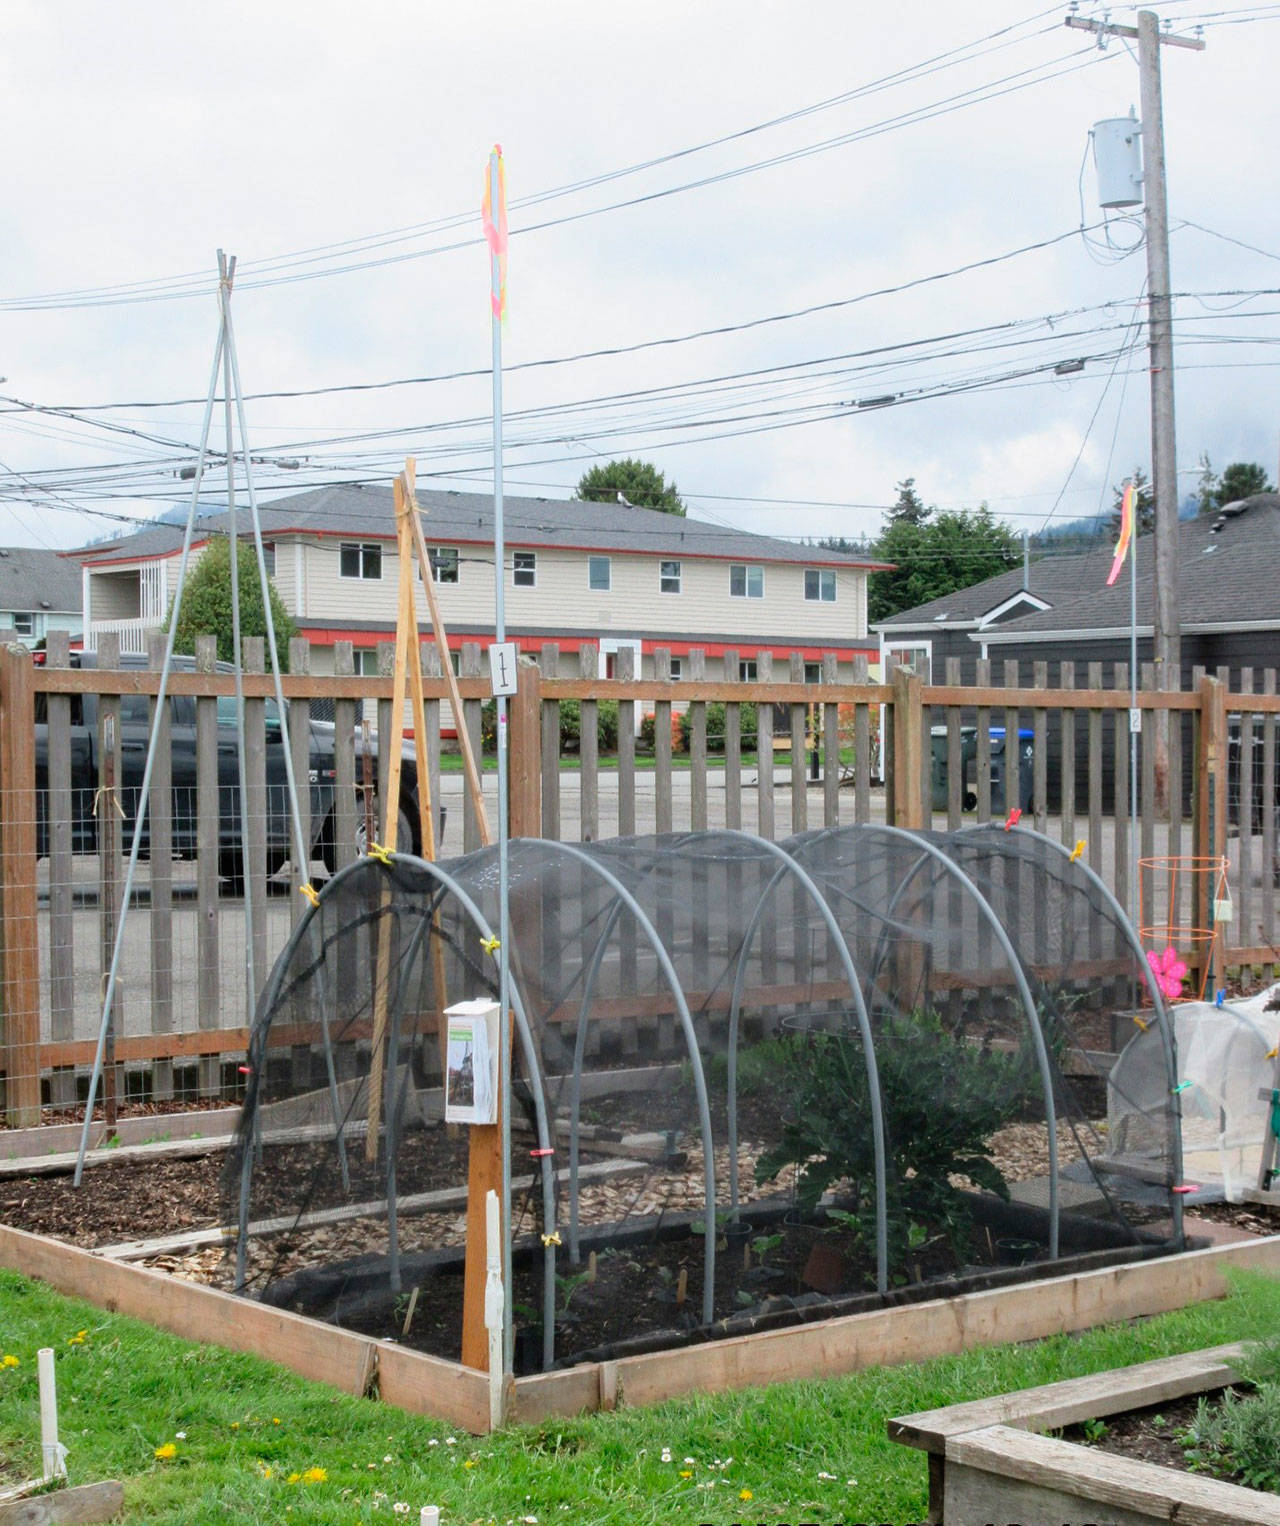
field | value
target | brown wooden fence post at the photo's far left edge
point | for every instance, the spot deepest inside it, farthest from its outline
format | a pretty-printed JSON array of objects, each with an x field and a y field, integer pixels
[{"x": 21, "y": 929}]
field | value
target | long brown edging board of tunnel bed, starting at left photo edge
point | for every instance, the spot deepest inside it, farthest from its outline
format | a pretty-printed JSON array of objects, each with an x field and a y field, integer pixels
[{"x": 193, "y": 1312}]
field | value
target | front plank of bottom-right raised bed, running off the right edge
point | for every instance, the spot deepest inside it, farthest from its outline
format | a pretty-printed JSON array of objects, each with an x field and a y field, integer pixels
[{"x": 1148, "y": 1492}]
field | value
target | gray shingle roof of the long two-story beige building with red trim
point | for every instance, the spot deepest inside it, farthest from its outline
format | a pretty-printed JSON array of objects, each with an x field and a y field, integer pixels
[{"x": 468, "y": 518}]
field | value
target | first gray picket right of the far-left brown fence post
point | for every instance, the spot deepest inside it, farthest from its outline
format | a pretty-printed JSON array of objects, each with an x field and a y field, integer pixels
[{"x": 59, "y": 808}]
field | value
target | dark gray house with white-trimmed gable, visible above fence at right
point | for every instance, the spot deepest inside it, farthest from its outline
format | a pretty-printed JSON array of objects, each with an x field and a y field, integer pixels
[{"x": 1061, "y": 610}]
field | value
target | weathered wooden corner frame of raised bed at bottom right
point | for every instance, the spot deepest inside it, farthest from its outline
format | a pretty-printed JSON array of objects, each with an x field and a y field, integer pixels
[{"x": 992, "y": 1460}]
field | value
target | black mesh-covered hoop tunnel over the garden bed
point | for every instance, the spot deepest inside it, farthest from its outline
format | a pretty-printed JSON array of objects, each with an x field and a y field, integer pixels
[{"x": 725, "y": 1054}]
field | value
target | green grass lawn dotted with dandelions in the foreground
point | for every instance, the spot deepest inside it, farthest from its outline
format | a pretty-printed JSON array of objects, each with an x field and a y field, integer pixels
[{"x": 201, "y": 1435}]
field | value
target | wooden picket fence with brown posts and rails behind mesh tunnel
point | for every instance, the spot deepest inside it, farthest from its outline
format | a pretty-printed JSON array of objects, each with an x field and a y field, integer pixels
[{"x": 947, "y": 759}]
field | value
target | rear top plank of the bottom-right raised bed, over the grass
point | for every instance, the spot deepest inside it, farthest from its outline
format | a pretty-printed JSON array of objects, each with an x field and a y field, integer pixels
[{"x": 1053, "y": 1406}]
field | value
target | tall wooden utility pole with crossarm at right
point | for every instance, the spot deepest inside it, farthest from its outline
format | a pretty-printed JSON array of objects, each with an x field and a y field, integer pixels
[{"x": 1166, "y": 646}]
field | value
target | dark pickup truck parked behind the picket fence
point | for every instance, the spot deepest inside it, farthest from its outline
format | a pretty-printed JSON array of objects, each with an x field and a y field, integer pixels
[{"x": 135, "y": 736}]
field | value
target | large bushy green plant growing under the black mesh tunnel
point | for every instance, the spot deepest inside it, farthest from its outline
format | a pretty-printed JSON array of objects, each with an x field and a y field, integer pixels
[{"x": 942, "y": 1096}]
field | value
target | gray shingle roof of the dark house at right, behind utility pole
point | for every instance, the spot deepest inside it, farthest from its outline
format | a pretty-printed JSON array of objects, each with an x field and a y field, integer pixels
[{"x": 1229, "y": 576}]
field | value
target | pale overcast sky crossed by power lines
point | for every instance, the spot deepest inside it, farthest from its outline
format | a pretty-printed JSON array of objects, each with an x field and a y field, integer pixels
[{"x": 144, "y": 137}]
